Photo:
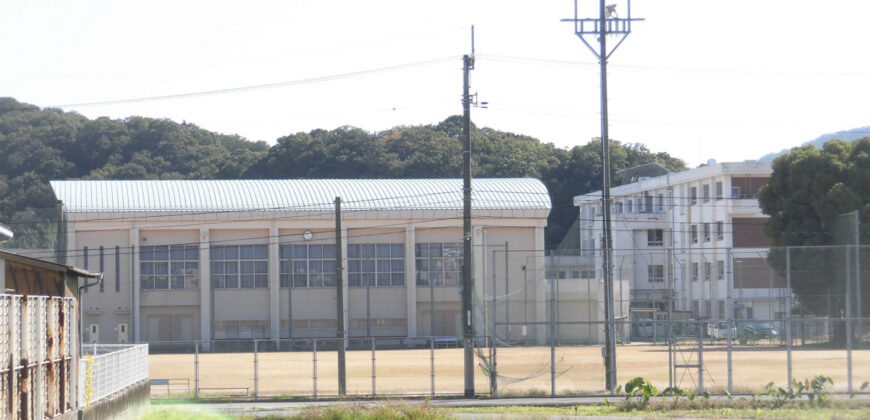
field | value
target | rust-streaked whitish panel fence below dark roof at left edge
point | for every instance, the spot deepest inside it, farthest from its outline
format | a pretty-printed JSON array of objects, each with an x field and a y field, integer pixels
[{"x": 38, "y": 344}]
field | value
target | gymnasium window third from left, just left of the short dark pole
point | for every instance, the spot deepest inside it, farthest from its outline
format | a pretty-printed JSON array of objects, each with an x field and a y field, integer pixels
[{"x": 307, "y": 265}]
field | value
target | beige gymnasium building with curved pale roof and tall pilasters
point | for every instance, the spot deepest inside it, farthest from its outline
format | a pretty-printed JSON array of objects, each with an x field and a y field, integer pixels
[{"x": 256, "y": 259}]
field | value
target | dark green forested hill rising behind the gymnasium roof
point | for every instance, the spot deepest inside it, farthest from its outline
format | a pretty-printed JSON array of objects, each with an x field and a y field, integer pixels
[{"x": 39, "y": 145}]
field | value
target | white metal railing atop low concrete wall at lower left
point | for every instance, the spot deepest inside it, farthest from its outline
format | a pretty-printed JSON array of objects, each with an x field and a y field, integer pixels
[{"x": 108, "y": 368}]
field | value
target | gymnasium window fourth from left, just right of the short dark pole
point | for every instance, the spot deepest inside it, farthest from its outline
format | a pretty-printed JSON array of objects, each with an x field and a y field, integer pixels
[{"x": 376, "y": 265}]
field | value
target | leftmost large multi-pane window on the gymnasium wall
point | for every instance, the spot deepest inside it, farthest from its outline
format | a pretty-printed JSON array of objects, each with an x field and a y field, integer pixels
[{"x": 167, "y": 267}]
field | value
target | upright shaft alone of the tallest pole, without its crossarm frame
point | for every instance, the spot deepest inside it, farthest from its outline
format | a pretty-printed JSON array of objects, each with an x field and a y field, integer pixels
[{"x": 610, "y": 343}]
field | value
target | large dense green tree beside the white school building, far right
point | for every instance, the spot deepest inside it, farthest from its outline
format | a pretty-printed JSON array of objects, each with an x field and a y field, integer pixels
[{"x": 808, "y": 189}]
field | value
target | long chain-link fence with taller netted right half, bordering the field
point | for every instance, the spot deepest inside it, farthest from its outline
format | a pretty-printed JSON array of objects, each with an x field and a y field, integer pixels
[{"x": 730, "y": 320}]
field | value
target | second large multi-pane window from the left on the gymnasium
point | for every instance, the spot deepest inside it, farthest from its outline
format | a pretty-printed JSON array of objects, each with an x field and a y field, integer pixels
[{"x": 239, "y": 266}]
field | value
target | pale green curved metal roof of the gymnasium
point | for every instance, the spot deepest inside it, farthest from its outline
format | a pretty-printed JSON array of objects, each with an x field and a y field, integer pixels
[{"x": 298, "y": 195}]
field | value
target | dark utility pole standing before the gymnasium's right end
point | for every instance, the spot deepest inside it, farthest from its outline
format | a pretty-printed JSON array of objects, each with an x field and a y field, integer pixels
[{"x": 467, "y": 282}]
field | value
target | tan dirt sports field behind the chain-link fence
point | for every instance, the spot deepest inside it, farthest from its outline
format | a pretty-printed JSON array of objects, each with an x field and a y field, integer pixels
[{"x": 521, "y": 370}]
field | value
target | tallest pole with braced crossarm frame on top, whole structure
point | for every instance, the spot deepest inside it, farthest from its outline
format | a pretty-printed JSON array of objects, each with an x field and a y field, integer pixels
[{"x": 607, "y": 23}]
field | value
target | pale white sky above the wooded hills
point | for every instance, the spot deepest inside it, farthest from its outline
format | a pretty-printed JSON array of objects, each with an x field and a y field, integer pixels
[{"x": 699, "y": 79}]
